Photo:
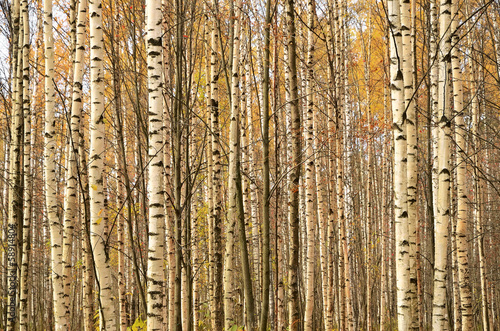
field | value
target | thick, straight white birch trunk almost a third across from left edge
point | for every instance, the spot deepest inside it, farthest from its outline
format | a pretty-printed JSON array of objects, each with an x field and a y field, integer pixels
[{"x": 156, "y": 147}]
